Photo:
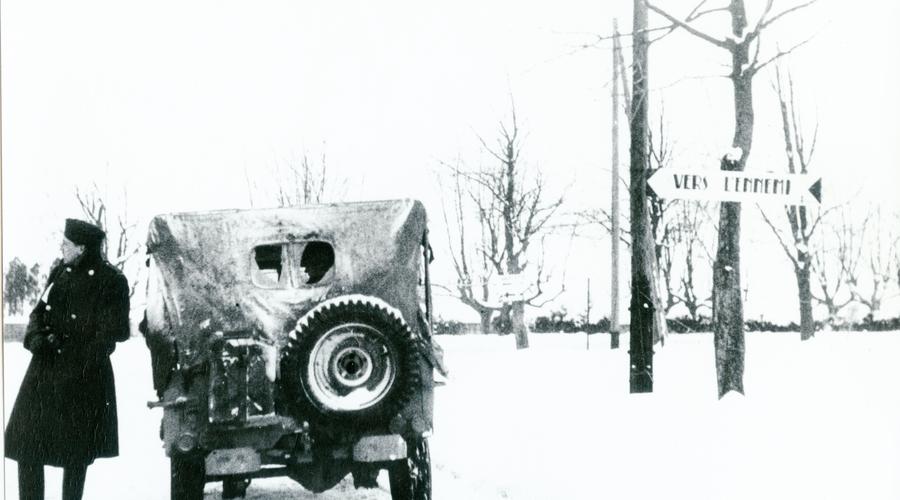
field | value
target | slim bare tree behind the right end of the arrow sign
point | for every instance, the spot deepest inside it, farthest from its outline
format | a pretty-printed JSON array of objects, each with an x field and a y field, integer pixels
[{"x": 802, "y": 221}]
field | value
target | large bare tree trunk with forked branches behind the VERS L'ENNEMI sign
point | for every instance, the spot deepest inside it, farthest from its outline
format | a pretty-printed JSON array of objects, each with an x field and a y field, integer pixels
[{"x": 743, "y": 47}]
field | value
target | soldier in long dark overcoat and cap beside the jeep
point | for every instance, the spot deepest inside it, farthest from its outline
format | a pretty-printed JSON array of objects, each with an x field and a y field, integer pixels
[{"x": 65, "y": 412}]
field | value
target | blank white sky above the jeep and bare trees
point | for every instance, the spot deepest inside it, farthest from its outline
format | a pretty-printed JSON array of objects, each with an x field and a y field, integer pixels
[{"x": 176, "y": 101}]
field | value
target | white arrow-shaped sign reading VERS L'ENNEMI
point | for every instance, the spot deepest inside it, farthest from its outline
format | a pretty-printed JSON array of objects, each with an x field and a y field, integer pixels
[{"x": 721, "y": 185}]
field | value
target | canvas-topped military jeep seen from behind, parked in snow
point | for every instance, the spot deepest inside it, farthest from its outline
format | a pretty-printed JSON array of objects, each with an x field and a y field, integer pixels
[{"x": 293, "y": 342}]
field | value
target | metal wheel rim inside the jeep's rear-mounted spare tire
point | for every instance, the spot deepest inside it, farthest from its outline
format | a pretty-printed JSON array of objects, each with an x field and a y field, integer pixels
[{"x": 352, "y": 367}]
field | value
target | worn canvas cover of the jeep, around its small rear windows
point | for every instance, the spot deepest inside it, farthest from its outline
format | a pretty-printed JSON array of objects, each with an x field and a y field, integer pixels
[{"x": 202, "y": 265}]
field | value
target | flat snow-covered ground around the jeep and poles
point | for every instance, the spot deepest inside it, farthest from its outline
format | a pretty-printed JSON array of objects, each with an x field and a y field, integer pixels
[{"x": 821, "y": 420}]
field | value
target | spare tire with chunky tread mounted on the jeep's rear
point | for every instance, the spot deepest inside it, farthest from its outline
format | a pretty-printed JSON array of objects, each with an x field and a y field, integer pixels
[{"x": 350, "y": 359}]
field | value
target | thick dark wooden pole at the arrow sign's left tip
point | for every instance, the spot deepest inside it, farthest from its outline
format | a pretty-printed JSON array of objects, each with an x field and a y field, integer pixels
[{"x": 642, "y": 301}]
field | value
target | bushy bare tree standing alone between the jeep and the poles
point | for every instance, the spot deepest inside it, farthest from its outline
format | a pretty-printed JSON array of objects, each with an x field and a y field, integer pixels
[{"x": 513, "y": 215}]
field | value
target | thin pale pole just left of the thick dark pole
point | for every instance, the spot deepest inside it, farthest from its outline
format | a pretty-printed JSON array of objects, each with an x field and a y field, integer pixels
[{"x": 614, "y": 212}]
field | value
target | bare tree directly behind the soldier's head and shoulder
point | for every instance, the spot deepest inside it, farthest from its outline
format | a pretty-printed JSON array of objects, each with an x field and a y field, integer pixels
[{"x": 121, "y": 243}]
